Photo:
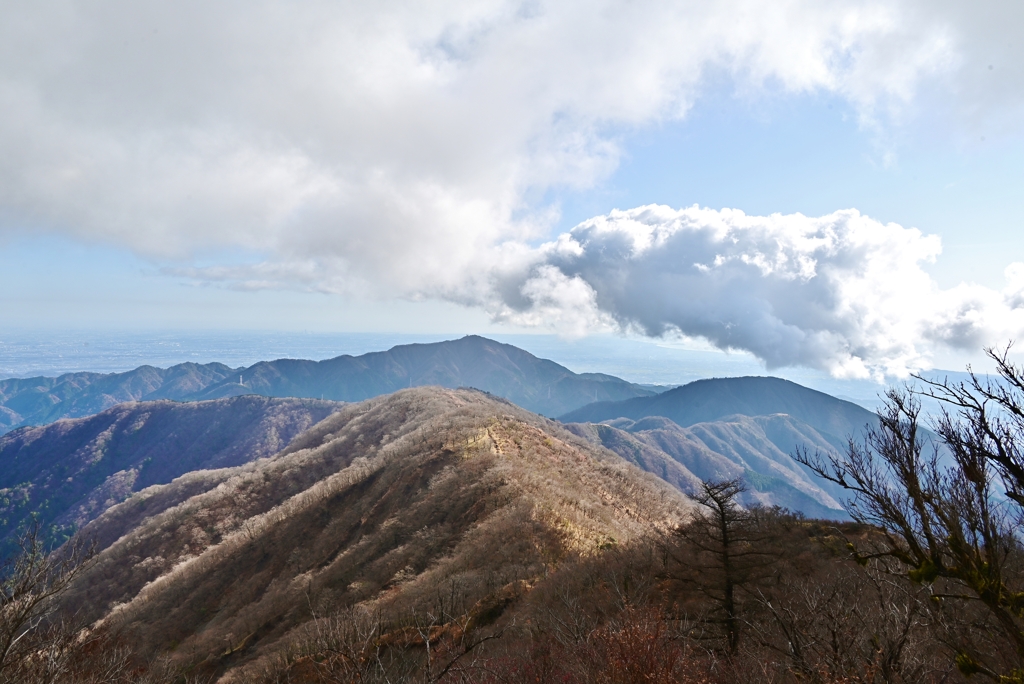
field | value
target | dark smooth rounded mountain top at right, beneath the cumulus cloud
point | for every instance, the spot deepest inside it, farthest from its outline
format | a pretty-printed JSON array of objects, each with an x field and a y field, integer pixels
[{"x": 714, "y": 400}]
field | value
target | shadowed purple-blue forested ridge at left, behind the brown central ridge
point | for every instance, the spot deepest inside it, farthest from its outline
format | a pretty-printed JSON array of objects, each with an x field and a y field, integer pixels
[{"x": 71, "y": 472}]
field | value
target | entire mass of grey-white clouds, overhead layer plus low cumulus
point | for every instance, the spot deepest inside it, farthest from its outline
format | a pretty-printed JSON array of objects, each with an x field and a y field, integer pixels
[{"x": 395, "y": 148}]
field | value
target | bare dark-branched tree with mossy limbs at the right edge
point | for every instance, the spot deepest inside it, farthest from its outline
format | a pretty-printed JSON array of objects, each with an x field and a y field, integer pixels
[{"x": 947, "y": 510}]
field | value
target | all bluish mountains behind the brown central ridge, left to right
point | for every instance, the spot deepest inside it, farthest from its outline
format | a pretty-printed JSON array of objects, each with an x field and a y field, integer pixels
[{"x": 70, "y": 472}]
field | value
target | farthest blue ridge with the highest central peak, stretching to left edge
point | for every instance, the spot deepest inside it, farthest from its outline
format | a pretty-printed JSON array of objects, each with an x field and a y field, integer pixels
[{"x": 537, "y": 384}]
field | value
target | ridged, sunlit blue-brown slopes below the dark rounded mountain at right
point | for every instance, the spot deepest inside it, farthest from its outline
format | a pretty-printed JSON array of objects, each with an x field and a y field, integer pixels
[{"x": 754, "y": 449}]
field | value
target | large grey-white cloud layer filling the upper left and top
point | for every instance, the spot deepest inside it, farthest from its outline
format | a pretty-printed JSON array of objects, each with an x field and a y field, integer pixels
[{"x": 352, "y": 127}]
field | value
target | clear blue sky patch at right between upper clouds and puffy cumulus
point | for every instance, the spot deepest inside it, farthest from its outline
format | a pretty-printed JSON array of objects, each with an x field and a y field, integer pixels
[{"x": 810, "y": 155}]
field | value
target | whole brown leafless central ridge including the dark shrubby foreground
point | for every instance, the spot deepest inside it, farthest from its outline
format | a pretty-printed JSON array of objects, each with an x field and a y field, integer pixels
[{"x": 447, "y": 536}]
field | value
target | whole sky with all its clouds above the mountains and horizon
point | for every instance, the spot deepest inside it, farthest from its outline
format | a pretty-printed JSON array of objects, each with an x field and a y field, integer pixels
[{"x": 825, "y": 186}]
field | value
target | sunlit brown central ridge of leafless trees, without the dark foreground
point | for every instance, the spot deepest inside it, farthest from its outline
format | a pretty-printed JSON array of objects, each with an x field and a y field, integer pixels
[{"x": 429, "y": 503}]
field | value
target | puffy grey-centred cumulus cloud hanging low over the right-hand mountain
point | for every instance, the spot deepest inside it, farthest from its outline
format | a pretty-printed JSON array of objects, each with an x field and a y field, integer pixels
[{"x": 842, "y": 292}]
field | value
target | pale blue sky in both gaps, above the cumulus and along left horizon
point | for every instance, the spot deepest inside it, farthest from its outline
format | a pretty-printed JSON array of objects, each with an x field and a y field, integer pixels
[{"x": 806, "y": 155}]
